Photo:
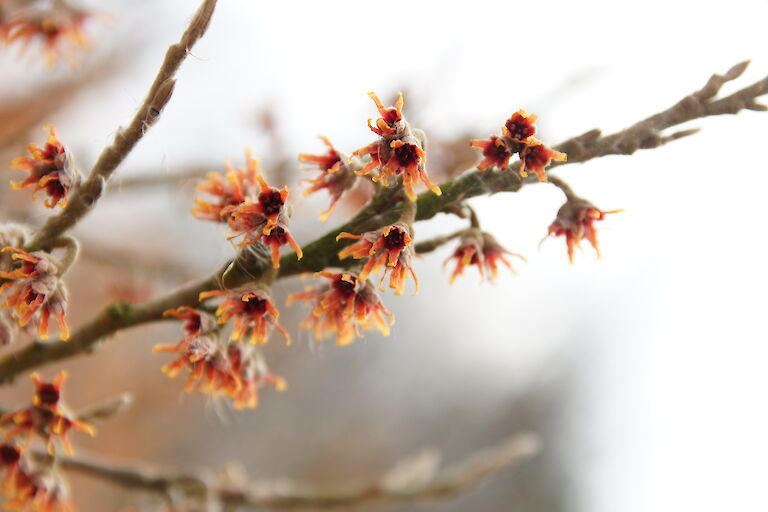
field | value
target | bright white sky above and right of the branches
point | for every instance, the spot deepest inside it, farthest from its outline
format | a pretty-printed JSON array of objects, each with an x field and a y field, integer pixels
[{"x": 674, "y": 356}]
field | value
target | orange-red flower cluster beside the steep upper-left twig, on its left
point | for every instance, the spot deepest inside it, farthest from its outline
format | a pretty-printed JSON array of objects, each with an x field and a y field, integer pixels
[{"x": 49, "y": 169}]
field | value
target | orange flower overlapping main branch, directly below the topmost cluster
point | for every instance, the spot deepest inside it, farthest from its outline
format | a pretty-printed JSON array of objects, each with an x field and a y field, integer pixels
[{"x": 388, "y": 248}]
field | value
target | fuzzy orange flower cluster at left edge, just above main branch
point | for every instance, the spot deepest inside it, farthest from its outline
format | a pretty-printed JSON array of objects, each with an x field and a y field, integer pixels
[{"x": 34, "y": 291}]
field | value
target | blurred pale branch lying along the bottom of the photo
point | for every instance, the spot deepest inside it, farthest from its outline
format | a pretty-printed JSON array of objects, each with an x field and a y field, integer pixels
[{"x": 411, "y": 481}]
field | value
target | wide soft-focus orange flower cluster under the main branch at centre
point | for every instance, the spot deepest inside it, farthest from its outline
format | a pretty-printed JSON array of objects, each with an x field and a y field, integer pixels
[{"x": 345, "y": 307}]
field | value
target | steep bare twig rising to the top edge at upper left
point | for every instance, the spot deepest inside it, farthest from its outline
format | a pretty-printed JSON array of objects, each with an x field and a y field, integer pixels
[{"x": 89, "y": 191}]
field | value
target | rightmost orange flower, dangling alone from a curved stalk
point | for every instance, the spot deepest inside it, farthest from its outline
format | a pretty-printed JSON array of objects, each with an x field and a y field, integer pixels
[{"x": 575, "y": 221}]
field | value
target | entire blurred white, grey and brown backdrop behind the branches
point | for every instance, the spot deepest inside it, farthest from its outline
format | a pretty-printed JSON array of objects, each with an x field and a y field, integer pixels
[{"x": 644, "y": 371}]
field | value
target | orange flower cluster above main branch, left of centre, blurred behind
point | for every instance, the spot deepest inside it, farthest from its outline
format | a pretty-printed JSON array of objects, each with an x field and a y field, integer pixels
[{"x": 249, "y": 205}]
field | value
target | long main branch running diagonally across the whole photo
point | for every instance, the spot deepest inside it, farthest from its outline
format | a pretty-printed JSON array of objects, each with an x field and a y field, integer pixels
[{"x": 322, "y": 253}]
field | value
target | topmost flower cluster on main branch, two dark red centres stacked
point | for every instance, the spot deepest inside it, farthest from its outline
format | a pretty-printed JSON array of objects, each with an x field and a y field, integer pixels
[{"x": 399, "y": 150}]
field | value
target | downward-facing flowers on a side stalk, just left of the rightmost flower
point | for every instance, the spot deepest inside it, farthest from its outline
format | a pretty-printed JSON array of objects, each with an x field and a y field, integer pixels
[{"x": 481, "y": 250}]
